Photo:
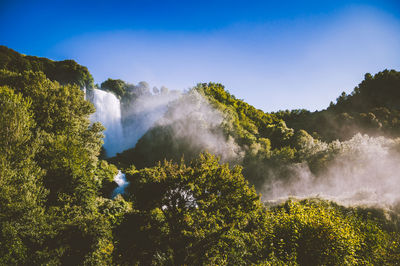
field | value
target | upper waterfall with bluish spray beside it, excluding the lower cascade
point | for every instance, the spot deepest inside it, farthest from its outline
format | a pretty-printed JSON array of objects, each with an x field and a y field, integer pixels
[{"x": 128, "y": 120}]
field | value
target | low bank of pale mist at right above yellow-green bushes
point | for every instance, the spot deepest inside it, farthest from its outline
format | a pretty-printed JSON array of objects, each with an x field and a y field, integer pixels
[{"x": 361, "y": 171}]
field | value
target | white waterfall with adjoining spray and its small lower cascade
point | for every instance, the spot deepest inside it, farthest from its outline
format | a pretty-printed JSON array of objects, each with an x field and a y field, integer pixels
[{"x": 141, "y": 116}]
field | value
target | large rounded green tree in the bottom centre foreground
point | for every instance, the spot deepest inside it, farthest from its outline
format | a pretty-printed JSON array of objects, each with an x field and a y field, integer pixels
[{"x": 201, "y": 213}]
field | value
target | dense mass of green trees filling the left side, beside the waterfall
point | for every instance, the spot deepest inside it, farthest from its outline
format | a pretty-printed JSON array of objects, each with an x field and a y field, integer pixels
[{"x": 50, "y": 182}]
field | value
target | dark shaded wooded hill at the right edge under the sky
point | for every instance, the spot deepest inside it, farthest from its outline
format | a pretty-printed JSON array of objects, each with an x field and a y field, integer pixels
[{"x": 371, "y": 108}]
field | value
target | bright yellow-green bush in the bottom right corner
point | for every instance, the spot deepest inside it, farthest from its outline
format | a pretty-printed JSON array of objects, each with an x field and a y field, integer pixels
[{"x": 317, "y": 232}]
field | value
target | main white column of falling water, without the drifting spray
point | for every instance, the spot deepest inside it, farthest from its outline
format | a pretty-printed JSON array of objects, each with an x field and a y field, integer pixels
[{"x": 108, "y": 112}]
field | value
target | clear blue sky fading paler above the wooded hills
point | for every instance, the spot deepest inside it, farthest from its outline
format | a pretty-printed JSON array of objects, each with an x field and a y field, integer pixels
[{"x": 273, "y": 54}]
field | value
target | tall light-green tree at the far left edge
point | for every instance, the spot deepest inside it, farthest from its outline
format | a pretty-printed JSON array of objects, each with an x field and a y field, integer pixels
[{"x": 22, "y": 220}]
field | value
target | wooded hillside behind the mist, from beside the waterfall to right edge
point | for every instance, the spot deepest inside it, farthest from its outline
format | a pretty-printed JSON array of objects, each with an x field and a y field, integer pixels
[{"x": 264, "y": 144}]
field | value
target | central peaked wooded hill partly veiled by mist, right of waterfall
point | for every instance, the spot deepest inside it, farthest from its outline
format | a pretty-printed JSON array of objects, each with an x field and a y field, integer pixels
[{"x": 252, "y": 138}]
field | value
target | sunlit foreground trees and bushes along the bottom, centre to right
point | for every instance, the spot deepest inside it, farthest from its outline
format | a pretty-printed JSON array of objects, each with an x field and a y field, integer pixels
[{"x": 205, "y": 213}]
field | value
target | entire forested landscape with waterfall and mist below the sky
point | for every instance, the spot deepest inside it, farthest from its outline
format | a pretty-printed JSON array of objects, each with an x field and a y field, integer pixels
[{"x": 211, "y": 180}]
